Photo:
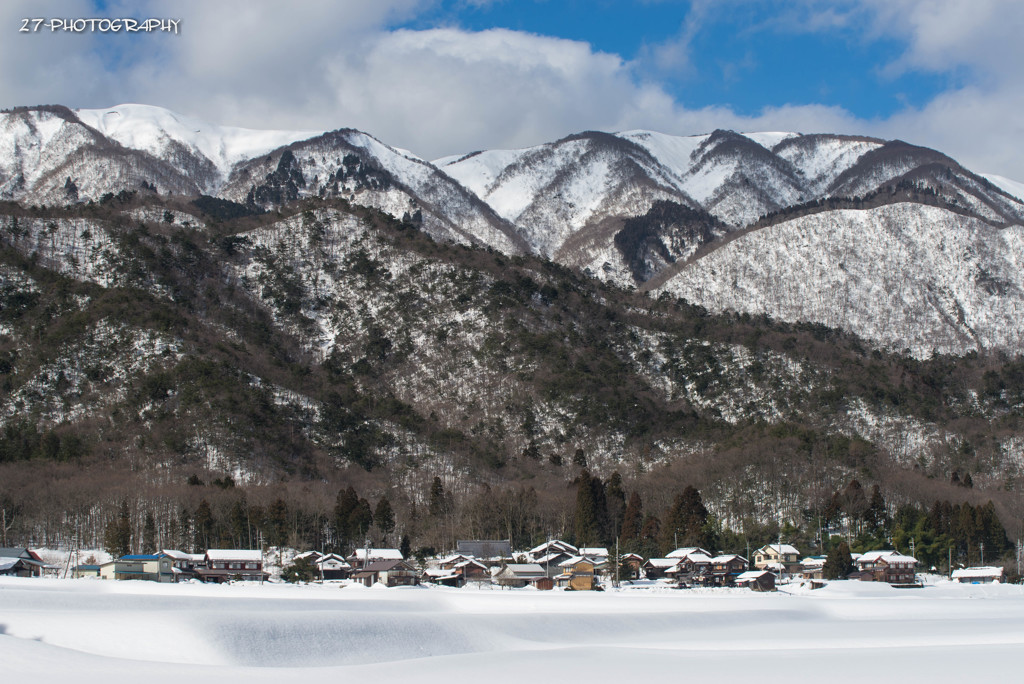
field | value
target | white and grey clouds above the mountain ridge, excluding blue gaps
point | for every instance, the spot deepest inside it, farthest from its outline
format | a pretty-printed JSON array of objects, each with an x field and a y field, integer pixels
[{"x": 328, "y": 65}]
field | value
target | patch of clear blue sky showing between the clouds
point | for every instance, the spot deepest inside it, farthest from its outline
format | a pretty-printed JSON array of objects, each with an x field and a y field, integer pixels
[{"x": 748, "y": 57}]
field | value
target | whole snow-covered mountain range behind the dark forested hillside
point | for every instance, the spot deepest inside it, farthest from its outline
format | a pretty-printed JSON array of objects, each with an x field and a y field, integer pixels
[{"x": 817, "y": 228}]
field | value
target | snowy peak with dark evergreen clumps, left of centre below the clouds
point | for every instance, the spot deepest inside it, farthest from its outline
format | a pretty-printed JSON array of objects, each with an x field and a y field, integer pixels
[{"x": 356, "y": 166}]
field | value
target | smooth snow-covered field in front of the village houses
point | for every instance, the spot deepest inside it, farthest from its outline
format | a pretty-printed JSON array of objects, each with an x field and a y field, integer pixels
[{"x": 92, "y": 631}]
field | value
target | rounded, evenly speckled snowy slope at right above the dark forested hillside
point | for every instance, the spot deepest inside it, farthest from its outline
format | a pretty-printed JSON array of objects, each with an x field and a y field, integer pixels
[{"x": 903, "y": 276}]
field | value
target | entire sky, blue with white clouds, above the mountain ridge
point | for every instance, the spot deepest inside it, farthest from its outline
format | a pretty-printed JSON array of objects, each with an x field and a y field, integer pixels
[{"x": 443, "y": 77}]
